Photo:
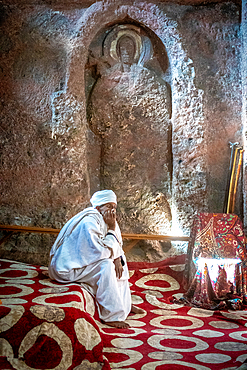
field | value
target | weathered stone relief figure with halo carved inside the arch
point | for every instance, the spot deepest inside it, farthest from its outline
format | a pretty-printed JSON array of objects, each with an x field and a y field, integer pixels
[{"x": 129, "y": 108}]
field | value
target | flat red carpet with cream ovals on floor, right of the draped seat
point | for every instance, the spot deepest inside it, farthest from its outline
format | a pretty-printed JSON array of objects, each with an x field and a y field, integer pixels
[{"x": 171, "y": 336}]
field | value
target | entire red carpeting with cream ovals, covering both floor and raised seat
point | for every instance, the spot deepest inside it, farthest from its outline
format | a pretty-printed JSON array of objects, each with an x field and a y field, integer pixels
[{"x": 46, "y": 325}]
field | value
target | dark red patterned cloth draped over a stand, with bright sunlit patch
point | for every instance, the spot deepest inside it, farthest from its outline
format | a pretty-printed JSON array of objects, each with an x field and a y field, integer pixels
[{"x": 216, "y": 266}]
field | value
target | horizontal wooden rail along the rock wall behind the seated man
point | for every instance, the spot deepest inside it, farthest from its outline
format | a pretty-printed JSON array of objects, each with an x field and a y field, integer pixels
[{"x": 11, "y": 229}]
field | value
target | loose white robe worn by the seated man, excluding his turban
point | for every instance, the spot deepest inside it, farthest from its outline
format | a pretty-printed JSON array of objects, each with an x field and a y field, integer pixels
[{"x": 84, "y": 252}]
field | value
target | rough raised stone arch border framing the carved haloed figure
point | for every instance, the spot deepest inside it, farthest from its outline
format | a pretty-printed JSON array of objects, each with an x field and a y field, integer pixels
[{"x": 186, "y": 115}]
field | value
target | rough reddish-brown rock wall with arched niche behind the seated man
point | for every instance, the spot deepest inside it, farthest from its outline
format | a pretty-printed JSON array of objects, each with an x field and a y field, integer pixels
[{"x": 189, "y": 91}]
